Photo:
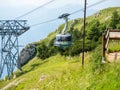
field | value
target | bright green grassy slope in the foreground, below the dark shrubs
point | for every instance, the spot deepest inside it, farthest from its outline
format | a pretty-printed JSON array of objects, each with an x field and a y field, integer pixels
[{"x": 66, "y": 73}]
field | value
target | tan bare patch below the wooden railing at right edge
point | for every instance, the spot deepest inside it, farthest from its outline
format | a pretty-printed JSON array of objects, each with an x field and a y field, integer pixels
[{"x": 113, "y": 57}]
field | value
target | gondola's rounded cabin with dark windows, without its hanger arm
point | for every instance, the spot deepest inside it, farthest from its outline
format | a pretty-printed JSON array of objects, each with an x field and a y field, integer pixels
[{"x": 63, "y": 40}]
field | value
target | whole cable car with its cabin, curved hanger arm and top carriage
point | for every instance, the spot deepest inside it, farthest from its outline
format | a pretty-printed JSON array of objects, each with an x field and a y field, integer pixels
[{"x": 63, "y": 39}]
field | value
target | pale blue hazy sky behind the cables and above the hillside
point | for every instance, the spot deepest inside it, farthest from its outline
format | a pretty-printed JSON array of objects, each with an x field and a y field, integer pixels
[{"x": 10, "y": 9}]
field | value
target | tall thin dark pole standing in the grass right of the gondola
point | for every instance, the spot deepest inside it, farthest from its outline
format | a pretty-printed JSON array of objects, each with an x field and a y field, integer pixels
[{"x": 83, "y": 45}]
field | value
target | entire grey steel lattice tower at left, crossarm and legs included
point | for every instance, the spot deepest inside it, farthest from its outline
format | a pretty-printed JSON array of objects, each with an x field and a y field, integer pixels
[{"x": 9, "y": 31}]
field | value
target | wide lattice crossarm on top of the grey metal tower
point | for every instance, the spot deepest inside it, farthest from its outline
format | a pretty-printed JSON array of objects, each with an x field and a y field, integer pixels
[{"x": 13, "y": 27}]
